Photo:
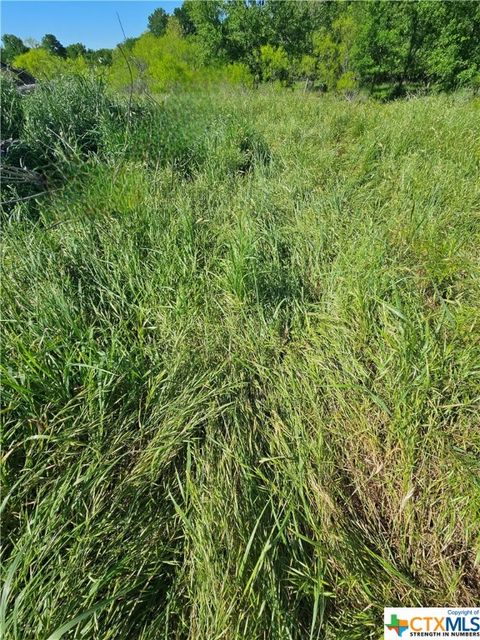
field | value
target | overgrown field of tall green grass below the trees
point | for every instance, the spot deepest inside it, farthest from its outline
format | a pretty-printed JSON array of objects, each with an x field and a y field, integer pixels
[{"x": 241, "y": 366}]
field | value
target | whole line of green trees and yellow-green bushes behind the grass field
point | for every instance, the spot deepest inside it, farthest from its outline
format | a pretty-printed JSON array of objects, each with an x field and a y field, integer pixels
[{"x": 343, "y": 45}]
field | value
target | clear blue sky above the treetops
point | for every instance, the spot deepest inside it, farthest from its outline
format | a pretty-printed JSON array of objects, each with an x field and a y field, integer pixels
[{"x": 88, "y": 21}]
